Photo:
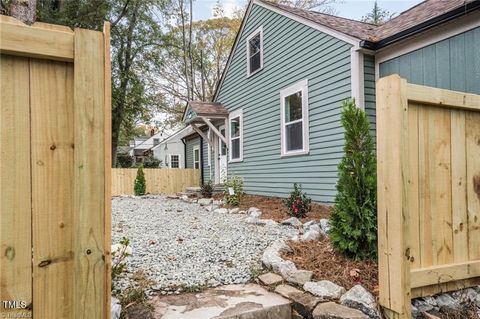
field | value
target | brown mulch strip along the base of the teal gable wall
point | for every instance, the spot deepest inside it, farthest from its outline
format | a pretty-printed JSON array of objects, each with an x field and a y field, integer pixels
[{"x": 273, "y": 208}]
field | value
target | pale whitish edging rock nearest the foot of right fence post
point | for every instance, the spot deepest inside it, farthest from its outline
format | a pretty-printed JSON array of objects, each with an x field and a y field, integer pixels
[{"x": 359, "y": 298}]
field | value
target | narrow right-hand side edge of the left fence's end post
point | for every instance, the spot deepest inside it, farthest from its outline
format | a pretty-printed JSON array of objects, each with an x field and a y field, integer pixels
[{"x": 108, "y": 166}]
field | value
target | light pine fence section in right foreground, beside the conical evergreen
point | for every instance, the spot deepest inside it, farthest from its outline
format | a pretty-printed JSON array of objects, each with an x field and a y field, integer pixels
[{"x": 428, "y": 148}]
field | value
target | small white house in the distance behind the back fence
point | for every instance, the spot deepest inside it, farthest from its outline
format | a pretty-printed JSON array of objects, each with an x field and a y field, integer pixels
[{"x": 171, "y": 150}]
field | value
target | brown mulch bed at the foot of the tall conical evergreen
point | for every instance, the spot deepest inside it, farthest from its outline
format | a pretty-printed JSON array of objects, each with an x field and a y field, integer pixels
[{"x": 326, "y": 264}]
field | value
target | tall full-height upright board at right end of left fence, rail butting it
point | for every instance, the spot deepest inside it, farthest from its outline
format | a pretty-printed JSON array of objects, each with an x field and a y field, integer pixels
[{"x": 89, "y": 201}]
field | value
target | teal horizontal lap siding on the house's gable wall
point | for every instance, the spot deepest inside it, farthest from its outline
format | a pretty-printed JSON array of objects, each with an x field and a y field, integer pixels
[{"x": 292, "y": 52}]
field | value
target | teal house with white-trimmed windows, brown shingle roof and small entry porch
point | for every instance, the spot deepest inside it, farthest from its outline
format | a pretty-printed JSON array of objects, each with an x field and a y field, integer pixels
[{"x": 275, "y": 116}]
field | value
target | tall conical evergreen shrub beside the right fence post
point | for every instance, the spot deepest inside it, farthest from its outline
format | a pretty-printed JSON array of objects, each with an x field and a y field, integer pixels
[{"x": 354, "y": 218}]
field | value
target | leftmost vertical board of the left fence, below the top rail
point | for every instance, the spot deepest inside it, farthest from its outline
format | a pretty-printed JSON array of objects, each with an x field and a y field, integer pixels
[{"x": 15, "y": 203}]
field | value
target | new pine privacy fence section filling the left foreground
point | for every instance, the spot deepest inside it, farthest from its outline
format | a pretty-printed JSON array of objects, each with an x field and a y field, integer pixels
[{"x": 54, "y": 171}]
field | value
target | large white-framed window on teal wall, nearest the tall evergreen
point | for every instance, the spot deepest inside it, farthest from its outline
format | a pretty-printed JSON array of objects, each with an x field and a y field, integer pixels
[{"x": 294, "y": 119}]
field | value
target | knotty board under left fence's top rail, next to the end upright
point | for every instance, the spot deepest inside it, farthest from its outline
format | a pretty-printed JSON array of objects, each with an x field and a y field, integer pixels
[{"x": 52, "y": 187}]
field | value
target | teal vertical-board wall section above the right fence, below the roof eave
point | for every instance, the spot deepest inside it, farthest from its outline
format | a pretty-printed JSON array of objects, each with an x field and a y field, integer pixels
[{"x": 452, "y": 64}]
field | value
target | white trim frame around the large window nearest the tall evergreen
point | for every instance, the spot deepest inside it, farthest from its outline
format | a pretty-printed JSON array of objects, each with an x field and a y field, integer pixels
[{"x": 303, "y": 87}]
